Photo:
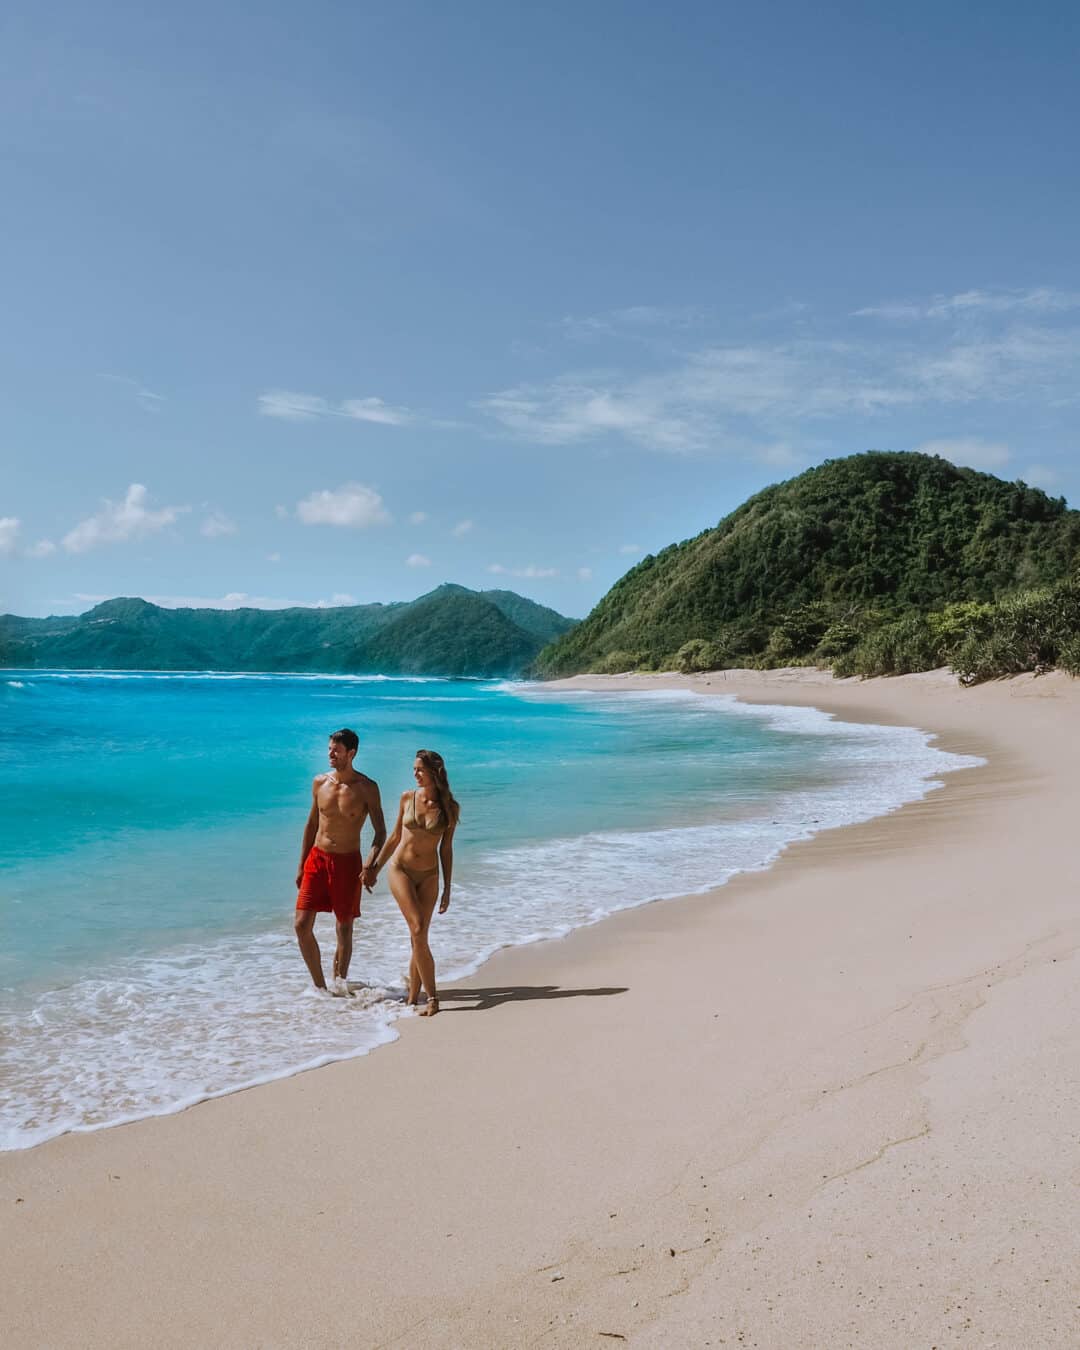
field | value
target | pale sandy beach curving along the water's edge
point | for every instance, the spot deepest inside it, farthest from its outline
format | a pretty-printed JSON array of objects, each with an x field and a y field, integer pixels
[{"x": 830, "y": 1105}]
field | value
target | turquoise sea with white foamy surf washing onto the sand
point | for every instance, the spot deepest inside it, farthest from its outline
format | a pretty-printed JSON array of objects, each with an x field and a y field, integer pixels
[{"x": 151, "y": 830}]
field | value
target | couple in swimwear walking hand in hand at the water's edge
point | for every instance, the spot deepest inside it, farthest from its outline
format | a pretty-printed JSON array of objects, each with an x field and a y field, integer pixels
[{"x": 333, "y": 875}]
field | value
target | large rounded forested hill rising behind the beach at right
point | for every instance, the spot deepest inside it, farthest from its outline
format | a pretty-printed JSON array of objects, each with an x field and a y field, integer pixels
[{"x": 832, "y": 565}]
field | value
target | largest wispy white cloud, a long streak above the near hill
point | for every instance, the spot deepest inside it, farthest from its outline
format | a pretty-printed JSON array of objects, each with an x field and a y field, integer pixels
[{"x": 759, "y": 398}]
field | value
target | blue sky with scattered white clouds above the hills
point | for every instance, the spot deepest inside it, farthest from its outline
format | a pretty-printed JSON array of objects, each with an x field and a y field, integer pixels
[{"x": 333, "y": 303}]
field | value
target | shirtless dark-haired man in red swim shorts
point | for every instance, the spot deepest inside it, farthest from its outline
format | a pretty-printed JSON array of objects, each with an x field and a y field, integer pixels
[{"x": 331, "y": 875}]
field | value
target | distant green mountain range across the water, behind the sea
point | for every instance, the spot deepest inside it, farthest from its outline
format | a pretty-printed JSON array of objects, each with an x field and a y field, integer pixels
[{"x": 452, "y": 631}]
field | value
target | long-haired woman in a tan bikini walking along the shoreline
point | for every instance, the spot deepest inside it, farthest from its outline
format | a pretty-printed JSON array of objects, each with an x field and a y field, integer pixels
[{"x": 422, "y": 839}]
